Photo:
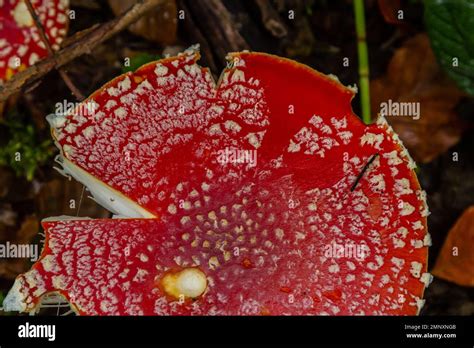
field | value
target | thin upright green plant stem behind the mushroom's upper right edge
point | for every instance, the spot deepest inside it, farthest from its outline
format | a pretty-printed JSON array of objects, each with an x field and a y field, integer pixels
[{"x": 363, "y": 60}]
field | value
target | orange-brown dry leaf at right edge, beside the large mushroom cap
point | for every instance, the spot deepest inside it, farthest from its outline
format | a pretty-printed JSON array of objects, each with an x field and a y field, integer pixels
[{"x": 456, "y": 260}]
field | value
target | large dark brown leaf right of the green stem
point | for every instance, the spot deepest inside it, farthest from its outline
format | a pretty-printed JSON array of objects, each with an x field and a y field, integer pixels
[{"x": 413, "y": 75}]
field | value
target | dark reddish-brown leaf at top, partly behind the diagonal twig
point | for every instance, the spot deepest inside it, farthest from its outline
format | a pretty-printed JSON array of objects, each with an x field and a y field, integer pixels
[{"x": 159, "y": 25}]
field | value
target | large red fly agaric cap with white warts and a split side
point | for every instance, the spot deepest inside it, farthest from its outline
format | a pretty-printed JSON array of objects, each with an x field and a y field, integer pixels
[{"x": 233, "y": 198}]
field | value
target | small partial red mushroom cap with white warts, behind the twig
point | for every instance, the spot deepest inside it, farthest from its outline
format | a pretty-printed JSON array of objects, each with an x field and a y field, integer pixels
[{"x": 20, "y": 41}]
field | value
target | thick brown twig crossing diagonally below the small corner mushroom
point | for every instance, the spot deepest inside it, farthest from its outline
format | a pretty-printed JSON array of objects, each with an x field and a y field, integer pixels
[{"x": 77, "y": 48}]
